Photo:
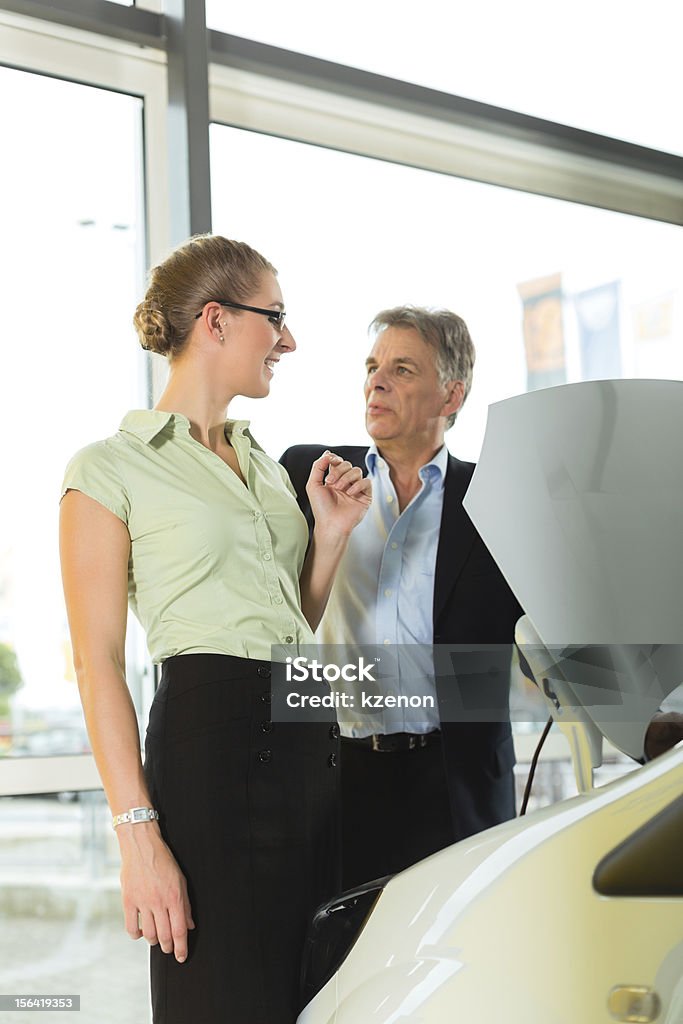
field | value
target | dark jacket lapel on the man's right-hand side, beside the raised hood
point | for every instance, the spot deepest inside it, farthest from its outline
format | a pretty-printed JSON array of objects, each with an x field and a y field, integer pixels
[{"x": 457, "y": 534}]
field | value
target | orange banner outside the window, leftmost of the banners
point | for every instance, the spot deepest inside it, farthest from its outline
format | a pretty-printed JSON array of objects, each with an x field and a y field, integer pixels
[{"x": 544, "y": 336}]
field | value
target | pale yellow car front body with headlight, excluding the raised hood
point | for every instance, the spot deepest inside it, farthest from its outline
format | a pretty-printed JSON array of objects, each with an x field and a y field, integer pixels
[{"x": 571, "y": 916}]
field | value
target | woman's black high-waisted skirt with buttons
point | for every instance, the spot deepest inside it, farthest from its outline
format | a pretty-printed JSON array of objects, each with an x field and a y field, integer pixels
[{"x": 250, "y": 810}]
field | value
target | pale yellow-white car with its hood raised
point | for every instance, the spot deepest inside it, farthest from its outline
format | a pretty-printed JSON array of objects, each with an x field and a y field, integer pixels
[{"x": 573, "y": 915}]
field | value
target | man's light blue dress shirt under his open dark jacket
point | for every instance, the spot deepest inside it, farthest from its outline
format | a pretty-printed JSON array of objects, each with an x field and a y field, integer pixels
[{"x": 385, "y": 593}]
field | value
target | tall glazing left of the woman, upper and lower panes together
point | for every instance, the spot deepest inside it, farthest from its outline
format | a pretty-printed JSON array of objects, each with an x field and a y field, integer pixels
[{"x": 72, "y": 267}]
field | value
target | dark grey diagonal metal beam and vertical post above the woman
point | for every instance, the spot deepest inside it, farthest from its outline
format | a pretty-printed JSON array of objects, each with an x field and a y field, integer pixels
[{"x": 183, "y": 30}]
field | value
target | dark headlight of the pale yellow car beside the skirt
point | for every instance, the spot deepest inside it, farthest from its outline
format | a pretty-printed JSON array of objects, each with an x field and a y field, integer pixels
[{"x": 332, "y": 933}]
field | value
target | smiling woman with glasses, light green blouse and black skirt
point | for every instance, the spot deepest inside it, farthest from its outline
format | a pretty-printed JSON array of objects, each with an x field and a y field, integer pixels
[{"x": 228, "y": 836}]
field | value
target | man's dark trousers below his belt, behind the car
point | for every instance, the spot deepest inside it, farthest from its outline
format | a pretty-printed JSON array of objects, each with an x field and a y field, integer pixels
[{"x": 396, "y": 809}]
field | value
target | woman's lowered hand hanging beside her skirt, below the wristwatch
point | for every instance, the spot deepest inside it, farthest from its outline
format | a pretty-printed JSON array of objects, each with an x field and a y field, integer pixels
[{"x": 155, "y": 892}]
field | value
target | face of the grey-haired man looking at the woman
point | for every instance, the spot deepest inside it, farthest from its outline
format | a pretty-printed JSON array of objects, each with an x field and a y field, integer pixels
[{"x": 405, "y": 400}]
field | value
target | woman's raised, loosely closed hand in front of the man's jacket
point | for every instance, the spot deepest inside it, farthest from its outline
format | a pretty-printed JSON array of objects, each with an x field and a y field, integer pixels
[{"x": 340, "y": 499}]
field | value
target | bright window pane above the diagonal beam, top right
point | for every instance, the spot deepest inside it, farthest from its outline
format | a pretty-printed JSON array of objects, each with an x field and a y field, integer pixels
[{"x": 609, "y": 68}]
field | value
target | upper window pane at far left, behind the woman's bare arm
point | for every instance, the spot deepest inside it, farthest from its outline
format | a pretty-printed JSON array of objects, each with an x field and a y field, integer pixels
[{"x": 71, "y": 266}]
